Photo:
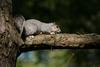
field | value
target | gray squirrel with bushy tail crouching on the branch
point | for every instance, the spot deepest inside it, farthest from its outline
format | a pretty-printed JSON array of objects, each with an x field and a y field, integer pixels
[{"x": 33, "y": 26}]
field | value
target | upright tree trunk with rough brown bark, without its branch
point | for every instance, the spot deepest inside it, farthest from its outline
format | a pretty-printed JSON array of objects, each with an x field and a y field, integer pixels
[{"x": 9, "y": 38}]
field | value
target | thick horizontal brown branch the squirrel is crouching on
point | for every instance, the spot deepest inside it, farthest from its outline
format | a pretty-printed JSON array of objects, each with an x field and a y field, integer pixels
[{"x": 62, "y": 41}]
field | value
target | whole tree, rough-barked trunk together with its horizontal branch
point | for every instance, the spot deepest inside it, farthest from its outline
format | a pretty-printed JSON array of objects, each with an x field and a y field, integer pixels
[{"x": 11, "y": 43}]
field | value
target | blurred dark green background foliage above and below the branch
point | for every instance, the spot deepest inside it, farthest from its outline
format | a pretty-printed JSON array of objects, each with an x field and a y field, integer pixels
[{"x": 73, "y": 16}]
